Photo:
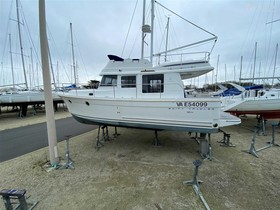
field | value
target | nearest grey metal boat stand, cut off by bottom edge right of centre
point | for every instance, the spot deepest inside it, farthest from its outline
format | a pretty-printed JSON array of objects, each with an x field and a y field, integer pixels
[{"x": 196, "y": 184}]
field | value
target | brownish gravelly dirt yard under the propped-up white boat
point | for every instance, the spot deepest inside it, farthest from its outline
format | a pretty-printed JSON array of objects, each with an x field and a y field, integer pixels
[{"x": 130, "y": 173}]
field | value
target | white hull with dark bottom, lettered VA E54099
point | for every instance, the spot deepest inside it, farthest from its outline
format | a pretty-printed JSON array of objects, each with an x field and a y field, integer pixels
[{"x": 193, "y": 115}]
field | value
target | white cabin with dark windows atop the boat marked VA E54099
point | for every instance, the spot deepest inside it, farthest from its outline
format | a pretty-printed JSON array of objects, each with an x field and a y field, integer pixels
[{"x": 136, "y": 78}]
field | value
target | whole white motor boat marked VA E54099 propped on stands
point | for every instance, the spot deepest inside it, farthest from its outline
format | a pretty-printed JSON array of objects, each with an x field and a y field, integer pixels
[{"x": 135, "y": 93}]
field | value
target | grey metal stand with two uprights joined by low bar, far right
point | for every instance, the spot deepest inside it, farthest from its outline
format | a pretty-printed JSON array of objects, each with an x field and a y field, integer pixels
[{"x": 253, "y": 151}]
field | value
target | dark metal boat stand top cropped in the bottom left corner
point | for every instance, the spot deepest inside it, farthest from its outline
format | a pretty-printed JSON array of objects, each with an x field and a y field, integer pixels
[{"x": 19, "y": 195}]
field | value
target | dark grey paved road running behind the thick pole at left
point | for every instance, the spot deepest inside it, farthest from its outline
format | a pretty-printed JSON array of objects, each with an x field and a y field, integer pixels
[{"x": 19, "y": 141}]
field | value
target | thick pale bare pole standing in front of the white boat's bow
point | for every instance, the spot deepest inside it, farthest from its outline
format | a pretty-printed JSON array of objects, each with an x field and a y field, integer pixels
[{"x": 52, "y": 139}]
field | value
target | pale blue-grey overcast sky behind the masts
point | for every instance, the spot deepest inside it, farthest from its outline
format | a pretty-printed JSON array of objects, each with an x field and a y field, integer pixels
[{"x": 100, "y": 27}]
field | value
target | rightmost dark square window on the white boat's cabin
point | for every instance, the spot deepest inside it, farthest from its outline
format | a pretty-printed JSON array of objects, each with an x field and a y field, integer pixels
[{"x": 152, "y": 83}]
